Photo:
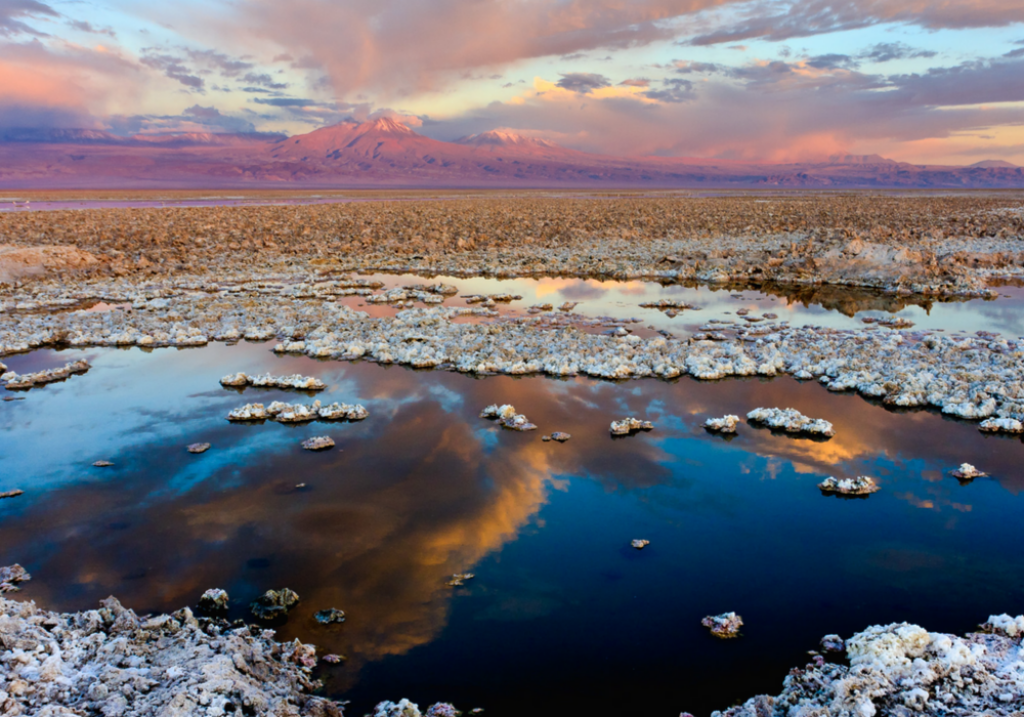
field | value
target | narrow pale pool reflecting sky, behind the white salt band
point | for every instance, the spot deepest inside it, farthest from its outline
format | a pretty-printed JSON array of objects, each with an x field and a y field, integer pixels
[{"x": 840, "y": 308}]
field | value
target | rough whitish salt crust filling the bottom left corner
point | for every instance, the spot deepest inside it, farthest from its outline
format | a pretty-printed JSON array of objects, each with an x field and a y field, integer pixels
[{"x": 110, "y": 662}]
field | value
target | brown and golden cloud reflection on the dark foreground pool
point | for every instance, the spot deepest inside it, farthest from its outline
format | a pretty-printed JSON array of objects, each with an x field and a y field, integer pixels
[{"x": 425, "y": 489}]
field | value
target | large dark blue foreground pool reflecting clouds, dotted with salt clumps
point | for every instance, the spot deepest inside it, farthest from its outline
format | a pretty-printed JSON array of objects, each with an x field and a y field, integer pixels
[{"x": 564, "y": 617}]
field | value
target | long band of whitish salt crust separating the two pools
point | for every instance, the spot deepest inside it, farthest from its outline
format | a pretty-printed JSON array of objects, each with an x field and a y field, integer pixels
[{"x": 970, "y": 377}]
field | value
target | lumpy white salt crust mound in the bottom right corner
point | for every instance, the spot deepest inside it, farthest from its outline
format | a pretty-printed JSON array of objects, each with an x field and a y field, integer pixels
[{"x": 903, "y": 669}]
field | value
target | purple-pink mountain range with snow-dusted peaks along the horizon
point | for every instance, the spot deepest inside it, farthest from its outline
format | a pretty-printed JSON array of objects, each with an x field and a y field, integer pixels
[{"x": 387, "y": 153}]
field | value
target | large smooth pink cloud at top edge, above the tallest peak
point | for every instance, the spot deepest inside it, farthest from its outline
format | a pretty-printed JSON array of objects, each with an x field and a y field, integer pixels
[{"x": 395, "y": 49}]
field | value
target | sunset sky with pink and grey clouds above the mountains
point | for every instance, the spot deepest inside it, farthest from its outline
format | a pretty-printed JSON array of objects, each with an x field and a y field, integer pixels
[{"x": 923, "y": 81}]
